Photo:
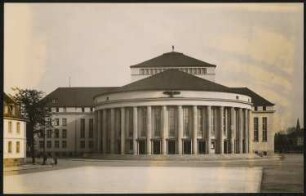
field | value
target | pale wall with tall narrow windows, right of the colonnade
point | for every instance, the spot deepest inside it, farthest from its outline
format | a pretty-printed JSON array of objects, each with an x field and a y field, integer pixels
[{"x": 261, "y": 146}]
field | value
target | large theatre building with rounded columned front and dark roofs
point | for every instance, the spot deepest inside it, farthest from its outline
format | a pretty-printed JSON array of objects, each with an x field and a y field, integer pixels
[{"x": 173, "y": 106}]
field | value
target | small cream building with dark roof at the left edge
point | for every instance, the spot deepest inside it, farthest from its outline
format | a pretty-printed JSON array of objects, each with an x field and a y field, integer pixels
[{"x": 14, "y": 136}]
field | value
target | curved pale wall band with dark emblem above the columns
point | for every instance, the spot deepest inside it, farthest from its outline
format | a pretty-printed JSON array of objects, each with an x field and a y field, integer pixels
[{"x": 144, "y": 98}]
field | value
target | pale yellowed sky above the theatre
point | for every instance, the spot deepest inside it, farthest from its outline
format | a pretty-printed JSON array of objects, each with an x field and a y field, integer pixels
[{"x": 259, "y": 46}]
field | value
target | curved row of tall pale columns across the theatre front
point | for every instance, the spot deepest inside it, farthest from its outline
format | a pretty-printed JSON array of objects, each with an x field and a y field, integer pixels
[{"x": 224, "y": 130}]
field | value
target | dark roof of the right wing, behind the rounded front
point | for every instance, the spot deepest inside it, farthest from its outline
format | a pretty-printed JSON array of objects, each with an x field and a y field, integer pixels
[{"x": 256, "y": 99}]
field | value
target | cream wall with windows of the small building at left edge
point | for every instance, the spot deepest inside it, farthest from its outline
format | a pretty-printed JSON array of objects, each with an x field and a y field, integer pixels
[{"x": 14, "y": 137}]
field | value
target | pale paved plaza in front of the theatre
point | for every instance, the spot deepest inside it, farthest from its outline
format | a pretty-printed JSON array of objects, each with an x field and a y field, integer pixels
[{"x": 131, "y": 176}]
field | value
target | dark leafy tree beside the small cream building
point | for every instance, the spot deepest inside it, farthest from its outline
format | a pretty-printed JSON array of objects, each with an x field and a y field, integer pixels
[{"x": 34, "y": 110}]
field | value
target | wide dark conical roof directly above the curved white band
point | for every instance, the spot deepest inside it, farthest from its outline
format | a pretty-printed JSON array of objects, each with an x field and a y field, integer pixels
[{"x": 172, "y": 79}]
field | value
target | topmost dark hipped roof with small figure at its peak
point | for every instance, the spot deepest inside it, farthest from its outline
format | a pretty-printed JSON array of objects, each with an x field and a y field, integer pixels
[{"x": 173, "y": 59}]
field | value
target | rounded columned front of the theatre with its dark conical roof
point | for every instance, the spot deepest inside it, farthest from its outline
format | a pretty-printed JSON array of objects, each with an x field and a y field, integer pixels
[{"x": 172, "y": 113}]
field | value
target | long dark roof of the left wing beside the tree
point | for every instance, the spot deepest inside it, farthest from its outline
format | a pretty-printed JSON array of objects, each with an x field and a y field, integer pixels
[{"x": 75, "y": 96}]
